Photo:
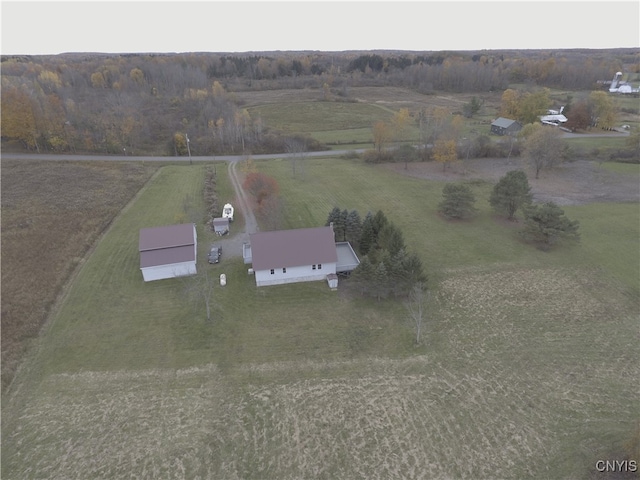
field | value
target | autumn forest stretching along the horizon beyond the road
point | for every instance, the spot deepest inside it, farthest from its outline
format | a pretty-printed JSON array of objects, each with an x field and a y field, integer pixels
[{"x": 144, "y": 103}]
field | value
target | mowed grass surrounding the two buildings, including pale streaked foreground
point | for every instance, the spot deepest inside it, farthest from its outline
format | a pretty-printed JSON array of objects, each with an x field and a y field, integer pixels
[{"x": 528, "y": 369}]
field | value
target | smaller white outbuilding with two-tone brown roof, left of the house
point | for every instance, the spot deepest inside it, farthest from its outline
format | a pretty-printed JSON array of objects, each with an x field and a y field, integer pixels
[{"x": 168, "y": 252}]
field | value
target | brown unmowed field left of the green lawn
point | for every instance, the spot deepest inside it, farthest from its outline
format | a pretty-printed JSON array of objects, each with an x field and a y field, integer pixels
[{"x": 52, "y": 213}]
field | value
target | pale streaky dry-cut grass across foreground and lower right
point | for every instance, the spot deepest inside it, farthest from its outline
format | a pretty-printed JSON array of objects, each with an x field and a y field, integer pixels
[{"x": 516, "y": 392}]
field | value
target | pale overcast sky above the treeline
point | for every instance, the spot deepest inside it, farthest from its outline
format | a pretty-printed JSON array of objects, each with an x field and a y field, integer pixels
[{"x": 50, "y": 27}]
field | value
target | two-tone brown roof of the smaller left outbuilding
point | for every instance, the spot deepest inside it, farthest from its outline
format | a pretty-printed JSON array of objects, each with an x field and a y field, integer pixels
[{"x": 167, "y": 245}]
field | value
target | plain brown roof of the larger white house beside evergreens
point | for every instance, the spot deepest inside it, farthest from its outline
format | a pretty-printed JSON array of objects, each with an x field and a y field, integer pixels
[{"x": 293, "y": 248}]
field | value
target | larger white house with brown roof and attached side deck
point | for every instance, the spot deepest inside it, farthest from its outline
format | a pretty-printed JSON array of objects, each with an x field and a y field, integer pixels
[{"x": 299, "y": 255}]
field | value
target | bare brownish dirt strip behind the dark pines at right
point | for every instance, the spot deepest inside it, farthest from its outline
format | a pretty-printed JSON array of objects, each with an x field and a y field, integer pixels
[{"x": 572, "y": 183}]
